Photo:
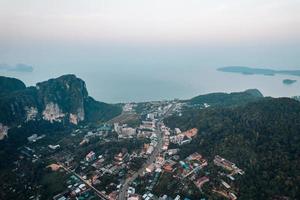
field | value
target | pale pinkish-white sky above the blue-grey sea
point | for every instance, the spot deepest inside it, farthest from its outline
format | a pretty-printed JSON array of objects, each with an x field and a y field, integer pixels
[{"x": 158, "y": 21}]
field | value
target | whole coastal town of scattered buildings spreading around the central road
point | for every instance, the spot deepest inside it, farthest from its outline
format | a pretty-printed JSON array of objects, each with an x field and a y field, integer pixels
[{"x": 134, "y": 161}]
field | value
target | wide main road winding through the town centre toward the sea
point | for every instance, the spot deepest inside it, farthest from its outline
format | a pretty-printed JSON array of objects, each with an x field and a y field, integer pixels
[{"x": 123, "y": 190}]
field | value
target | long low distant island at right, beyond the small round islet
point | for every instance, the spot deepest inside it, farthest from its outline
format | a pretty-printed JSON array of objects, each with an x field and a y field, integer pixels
[{"x": 258, "y": 71}]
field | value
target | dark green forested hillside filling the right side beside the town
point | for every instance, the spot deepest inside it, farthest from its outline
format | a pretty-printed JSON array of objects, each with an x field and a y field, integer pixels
[{"x": 262, "y": 137}]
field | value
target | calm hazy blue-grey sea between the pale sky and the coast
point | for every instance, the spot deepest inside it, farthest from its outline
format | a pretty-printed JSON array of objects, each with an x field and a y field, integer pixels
[{"x": 125, "y": 75}]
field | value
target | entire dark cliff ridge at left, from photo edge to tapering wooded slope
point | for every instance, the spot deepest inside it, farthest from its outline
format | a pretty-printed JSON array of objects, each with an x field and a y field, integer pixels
[{"x": 64, "y": 99}]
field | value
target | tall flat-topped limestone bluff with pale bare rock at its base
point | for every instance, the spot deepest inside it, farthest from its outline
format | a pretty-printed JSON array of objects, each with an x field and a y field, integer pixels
[{"x": 63, "y": 97}]
